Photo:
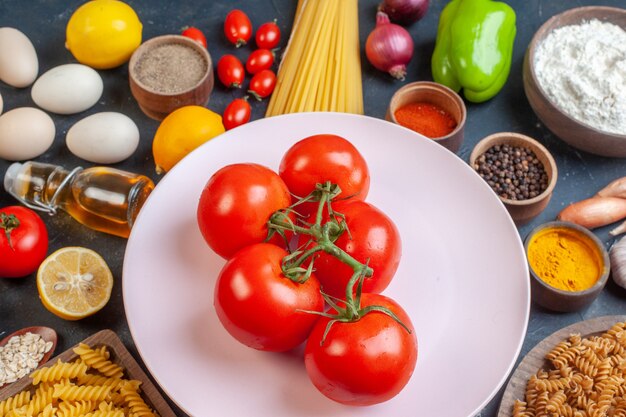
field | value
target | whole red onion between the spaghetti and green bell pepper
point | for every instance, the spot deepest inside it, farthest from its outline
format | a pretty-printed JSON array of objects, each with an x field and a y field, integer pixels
[{"x": 389, "y": 47}]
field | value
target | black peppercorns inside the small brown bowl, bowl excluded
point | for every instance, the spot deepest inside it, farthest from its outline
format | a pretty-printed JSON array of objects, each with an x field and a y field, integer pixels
[{"x": 513, "y": 172}]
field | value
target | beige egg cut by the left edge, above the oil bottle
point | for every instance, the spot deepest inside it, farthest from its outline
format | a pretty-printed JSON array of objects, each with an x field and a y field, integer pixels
[{"x": 25, "y": 133}]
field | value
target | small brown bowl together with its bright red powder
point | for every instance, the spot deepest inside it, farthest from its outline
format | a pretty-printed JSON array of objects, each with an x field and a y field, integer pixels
[{"x": 432, "y": 110}]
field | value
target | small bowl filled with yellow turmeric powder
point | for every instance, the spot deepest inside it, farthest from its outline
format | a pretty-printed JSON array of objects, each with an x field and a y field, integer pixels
[{"x": 568, "y": 264}]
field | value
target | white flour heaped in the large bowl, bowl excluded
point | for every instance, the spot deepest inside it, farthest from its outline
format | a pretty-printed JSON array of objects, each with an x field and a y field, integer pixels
[{"x": 582, "y": 68}]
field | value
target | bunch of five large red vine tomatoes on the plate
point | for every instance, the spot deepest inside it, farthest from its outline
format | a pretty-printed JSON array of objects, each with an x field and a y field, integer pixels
[{"x": 307, "y": 259}]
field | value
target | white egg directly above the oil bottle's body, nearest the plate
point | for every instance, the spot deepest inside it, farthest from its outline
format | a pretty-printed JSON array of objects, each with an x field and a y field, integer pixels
[{"x": 103, "y": 138}]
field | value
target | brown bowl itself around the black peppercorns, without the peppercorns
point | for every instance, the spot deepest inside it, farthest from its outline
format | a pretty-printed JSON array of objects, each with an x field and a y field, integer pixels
[{"x": 521, "y": 211}]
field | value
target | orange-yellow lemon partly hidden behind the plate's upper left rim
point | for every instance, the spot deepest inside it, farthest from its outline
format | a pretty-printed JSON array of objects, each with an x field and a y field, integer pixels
[{"x": 181, "y": 132}]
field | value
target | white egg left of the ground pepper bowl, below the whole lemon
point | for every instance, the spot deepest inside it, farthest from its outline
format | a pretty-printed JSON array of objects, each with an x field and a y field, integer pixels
[{"x": 68, "y": 89}]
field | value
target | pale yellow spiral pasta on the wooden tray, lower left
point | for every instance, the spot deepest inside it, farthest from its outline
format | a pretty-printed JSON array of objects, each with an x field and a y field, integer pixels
[{"x": 90, "y": 386}]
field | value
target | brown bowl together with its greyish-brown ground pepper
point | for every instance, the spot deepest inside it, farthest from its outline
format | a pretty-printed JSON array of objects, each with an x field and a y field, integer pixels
[{"x": 168, "y": 72}]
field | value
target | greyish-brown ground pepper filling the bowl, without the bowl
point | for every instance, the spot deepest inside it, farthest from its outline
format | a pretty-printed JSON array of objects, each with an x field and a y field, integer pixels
[{"x": 170, "y": 68}]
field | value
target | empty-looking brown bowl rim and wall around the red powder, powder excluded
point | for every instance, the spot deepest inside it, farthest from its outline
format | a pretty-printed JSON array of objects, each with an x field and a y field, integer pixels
[{"x": 439, "y": 95}]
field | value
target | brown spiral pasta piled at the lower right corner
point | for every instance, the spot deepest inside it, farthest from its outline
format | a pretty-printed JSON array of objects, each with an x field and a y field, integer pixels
[{"x": 587, "y": 379}]
